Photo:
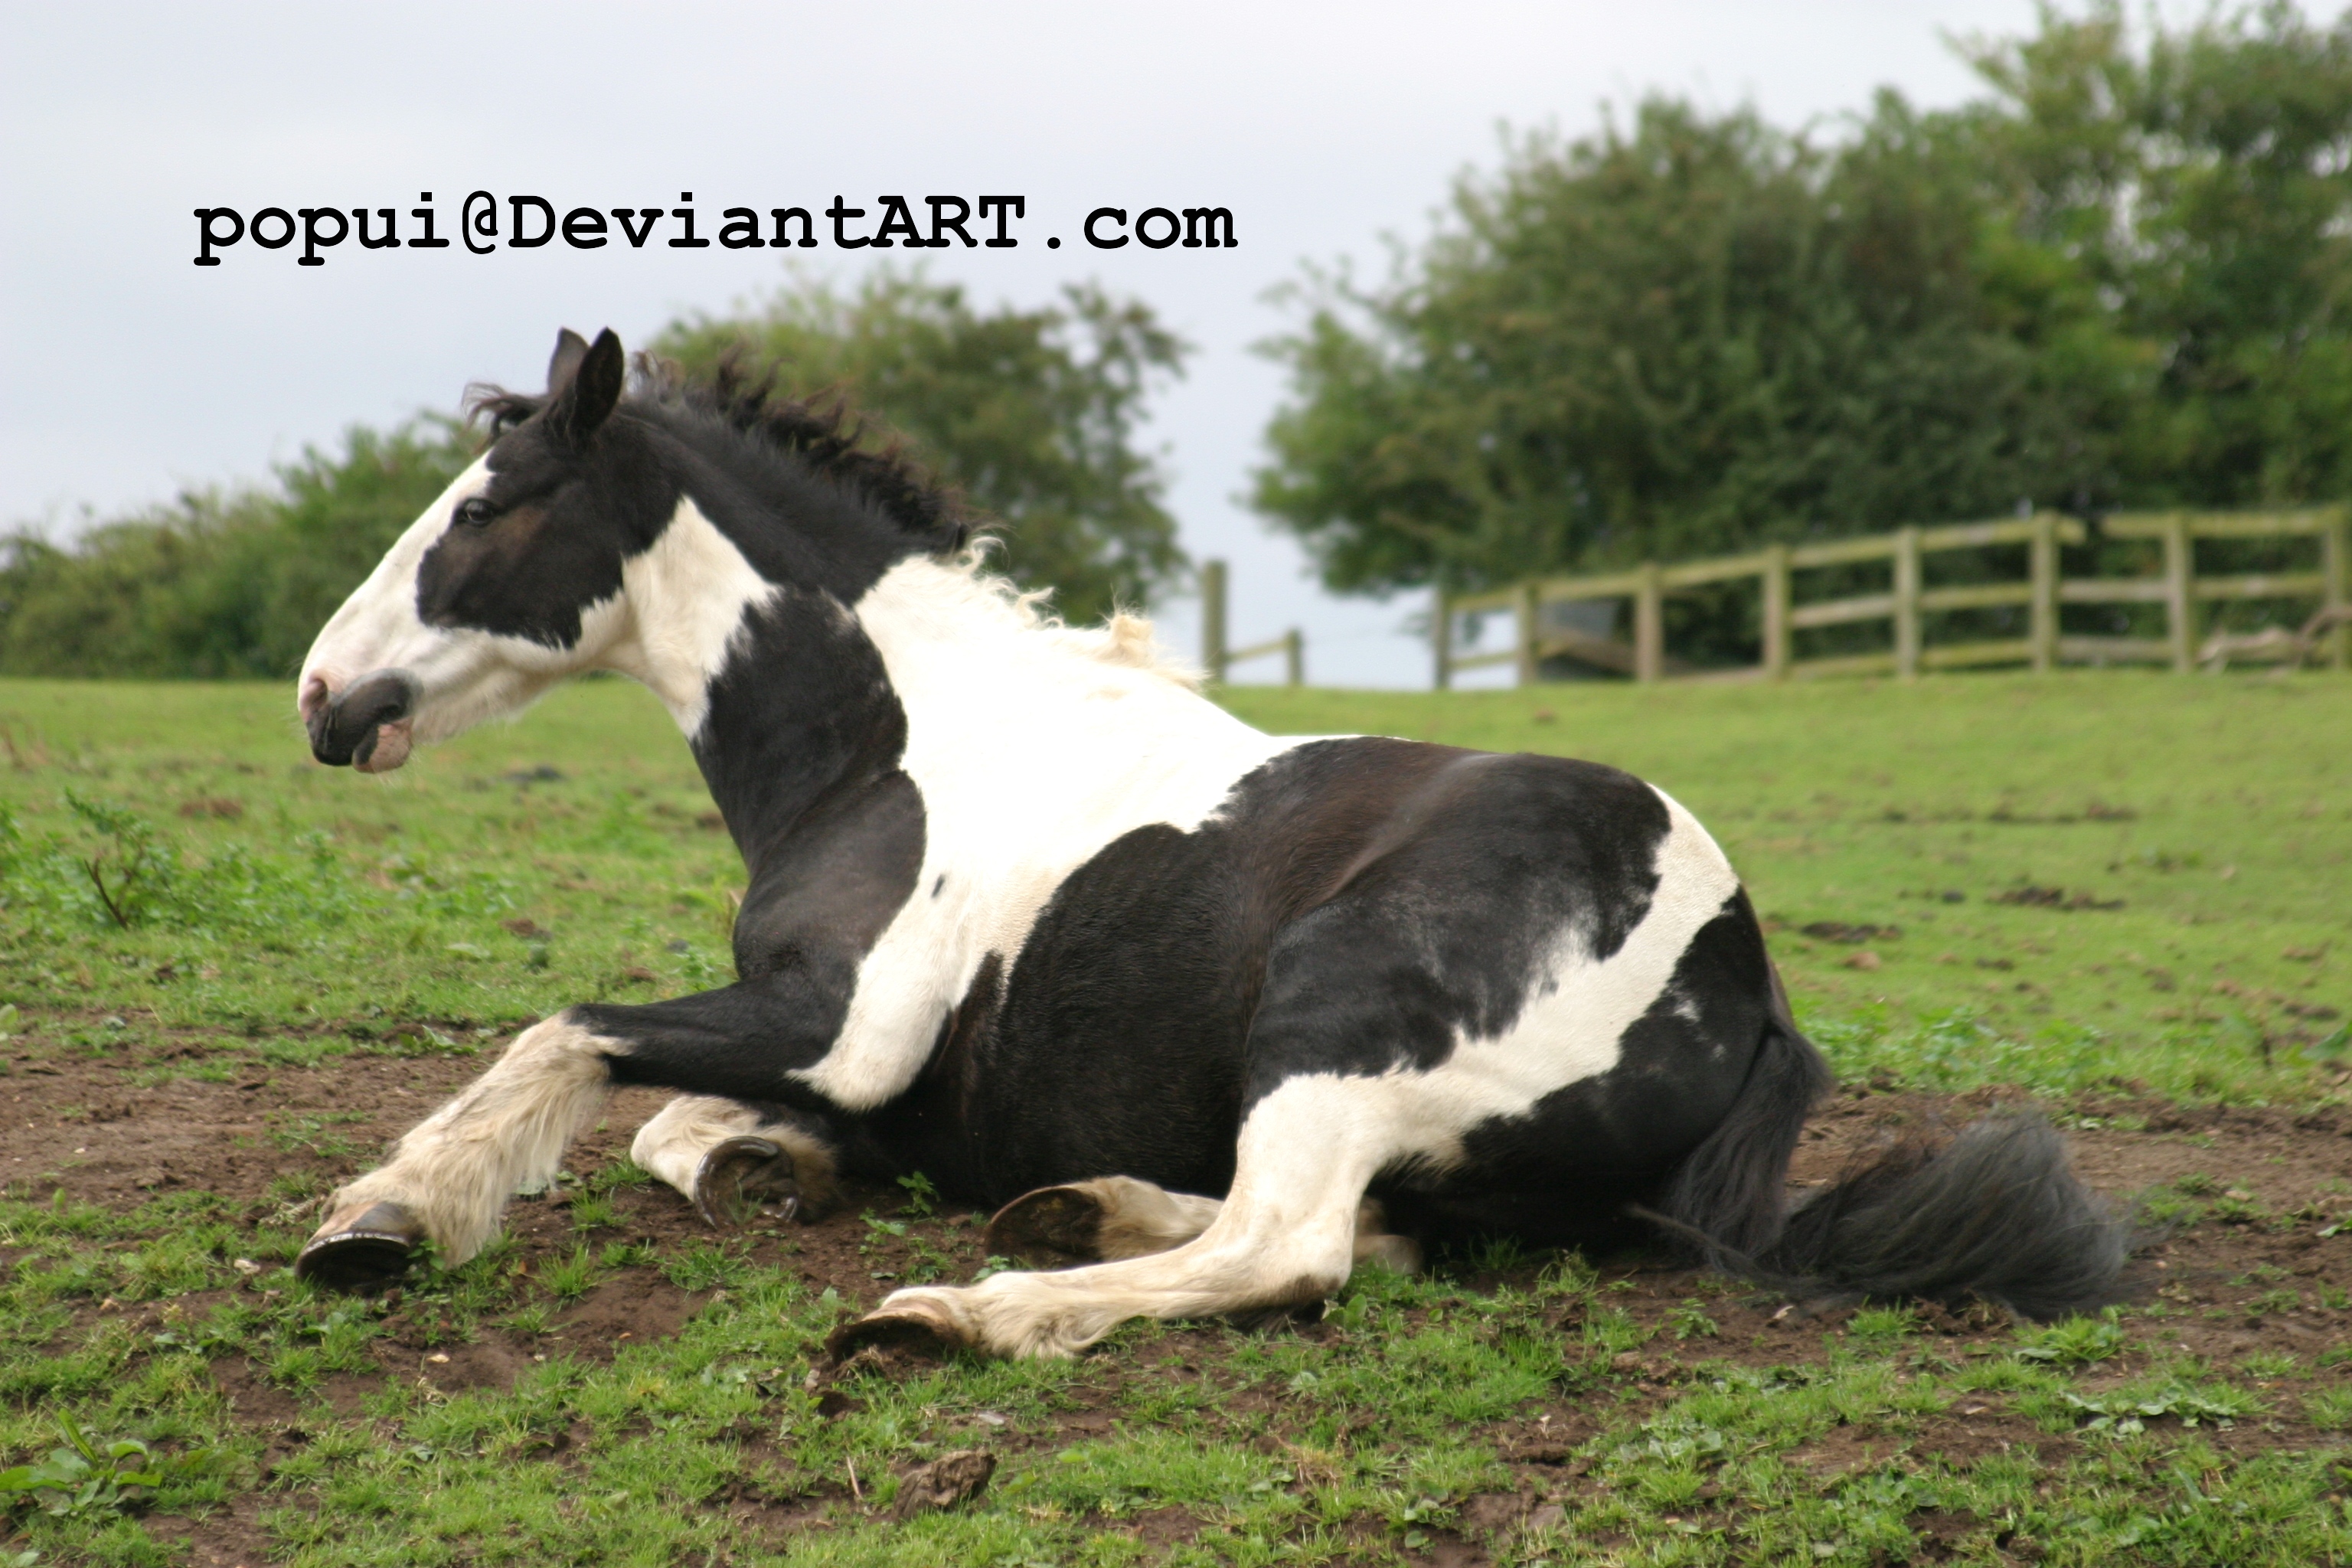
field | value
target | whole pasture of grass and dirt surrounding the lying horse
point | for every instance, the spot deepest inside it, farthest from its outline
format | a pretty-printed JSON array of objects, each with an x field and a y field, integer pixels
[{"x": 232, "y": 977}]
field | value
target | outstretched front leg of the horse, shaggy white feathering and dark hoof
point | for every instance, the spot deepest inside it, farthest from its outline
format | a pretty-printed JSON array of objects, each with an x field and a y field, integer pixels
[{"x": 450, "y": 1177}]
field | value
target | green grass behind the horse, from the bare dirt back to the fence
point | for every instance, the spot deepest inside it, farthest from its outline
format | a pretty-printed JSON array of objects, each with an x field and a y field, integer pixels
[{"x": 408, "y": 916}]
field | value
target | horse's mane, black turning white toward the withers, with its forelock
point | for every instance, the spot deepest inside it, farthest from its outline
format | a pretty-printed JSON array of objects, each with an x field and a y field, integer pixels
[{"x": 824, "y": 434}]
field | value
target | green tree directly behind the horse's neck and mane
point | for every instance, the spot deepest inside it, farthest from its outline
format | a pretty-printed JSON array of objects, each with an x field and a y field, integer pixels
[{"x": 1031, "y": 415}]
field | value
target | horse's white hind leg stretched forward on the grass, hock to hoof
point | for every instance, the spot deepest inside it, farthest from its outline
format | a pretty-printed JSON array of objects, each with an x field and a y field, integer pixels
[{"x": 1283, "y": 1238}]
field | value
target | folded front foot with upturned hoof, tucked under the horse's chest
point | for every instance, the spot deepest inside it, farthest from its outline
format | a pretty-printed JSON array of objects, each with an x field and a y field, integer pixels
[{"x": 735, "y": 1158}]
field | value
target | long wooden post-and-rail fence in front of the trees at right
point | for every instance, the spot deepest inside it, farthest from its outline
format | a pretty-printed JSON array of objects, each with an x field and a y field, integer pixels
[{"x": 2177, "y": 587}]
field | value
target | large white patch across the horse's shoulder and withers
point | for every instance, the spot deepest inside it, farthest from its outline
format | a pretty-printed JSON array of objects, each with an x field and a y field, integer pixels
[{"x": 1034, "y": 746}]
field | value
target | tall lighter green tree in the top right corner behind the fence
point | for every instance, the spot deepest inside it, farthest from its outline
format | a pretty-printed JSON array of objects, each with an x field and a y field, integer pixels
[{"x": 2205, "y": 185}]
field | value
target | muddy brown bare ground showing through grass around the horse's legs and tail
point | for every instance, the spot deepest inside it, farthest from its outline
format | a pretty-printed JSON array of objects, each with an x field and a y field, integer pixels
[{"x": 2254, "y": 1280}]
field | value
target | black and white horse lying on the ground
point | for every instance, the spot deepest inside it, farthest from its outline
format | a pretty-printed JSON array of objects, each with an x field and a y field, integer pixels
[{"x": 1217, "y": 1014}]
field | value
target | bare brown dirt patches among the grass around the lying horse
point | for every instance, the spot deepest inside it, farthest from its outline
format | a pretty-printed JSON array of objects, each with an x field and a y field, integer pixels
[{"x": 2250, "y": 1285}]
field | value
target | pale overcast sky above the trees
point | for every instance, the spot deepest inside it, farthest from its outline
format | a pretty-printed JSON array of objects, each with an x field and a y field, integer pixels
[{"x": 1328, "y": 130}]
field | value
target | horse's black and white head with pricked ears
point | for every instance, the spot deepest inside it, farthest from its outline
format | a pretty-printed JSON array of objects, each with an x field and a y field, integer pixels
[{"x": 507, "y": 584}]
